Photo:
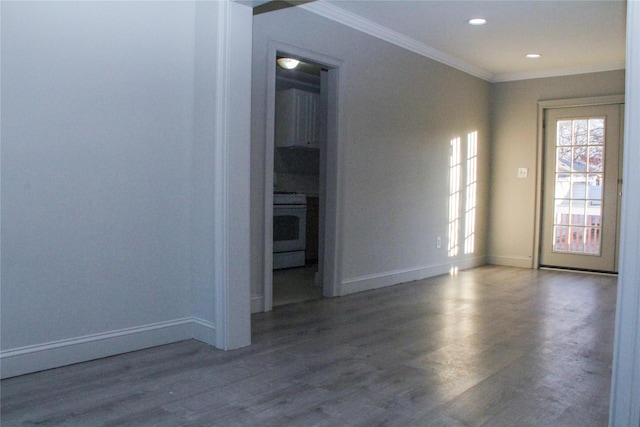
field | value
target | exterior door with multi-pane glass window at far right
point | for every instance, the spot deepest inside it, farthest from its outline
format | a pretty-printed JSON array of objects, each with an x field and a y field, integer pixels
[{"x": 581, "y": 188}]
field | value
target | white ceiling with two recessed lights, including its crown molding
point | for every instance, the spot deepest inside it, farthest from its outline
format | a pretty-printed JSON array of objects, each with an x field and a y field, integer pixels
[{"x": 573, "y": 36}]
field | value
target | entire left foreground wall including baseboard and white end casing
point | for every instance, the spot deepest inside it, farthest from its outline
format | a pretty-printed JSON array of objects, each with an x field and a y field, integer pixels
[{"x": 109, "y": 177}]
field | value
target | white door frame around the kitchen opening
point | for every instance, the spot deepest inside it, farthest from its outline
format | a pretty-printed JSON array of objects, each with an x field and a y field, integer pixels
[{"x": 330, "y": 253}]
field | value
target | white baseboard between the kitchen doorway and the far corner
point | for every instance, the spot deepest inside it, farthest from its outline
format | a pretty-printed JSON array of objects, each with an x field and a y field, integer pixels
[{"x": 390, "y": 278}]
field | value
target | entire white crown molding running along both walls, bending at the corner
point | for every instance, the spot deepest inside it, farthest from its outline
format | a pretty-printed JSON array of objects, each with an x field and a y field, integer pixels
[{"x": 352, "y": 20}]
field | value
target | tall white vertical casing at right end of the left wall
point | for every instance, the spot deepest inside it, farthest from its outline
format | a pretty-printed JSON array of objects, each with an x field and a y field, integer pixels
[{"x": 231, "y": 187}]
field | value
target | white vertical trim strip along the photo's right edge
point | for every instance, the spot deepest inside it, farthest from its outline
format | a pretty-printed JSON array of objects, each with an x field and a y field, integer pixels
[{"x": 625, "y": 387}]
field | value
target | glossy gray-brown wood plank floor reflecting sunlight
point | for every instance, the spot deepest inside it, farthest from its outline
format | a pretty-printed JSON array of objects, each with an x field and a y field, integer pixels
[{"x": 492, "y": 346}]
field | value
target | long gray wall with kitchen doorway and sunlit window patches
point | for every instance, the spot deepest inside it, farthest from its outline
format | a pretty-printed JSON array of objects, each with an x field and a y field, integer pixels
[{"x": 400, "y": 113}]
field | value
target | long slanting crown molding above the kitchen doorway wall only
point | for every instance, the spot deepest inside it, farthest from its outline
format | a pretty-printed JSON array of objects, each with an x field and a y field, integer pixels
[{"x": 336, "y": 14}]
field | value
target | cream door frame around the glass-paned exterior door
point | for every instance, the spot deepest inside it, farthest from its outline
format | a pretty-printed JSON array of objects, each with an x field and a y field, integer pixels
[{"x": 542, "y": 107}]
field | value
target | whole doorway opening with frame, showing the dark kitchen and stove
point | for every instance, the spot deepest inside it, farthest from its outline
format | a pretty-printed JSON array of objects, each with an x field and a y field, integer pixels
[{"x": 301, "y": 177}]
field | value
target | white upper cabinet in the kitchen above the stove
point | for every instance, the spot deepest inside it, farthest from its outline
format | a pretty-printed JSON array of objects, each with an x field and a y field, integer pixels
[{"x": 297, "y": 119}]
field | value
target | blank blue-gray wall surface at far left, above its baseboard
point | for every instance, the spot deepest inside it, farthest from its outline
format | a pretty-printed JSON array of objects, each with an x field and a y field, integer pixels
[{"x": 97, "y": 124}]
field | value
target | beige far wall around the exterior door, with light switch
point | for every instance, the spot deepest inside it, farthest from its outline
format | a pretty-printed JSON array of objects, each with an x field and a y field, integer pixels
[{"x": 514, "y": 145}]
